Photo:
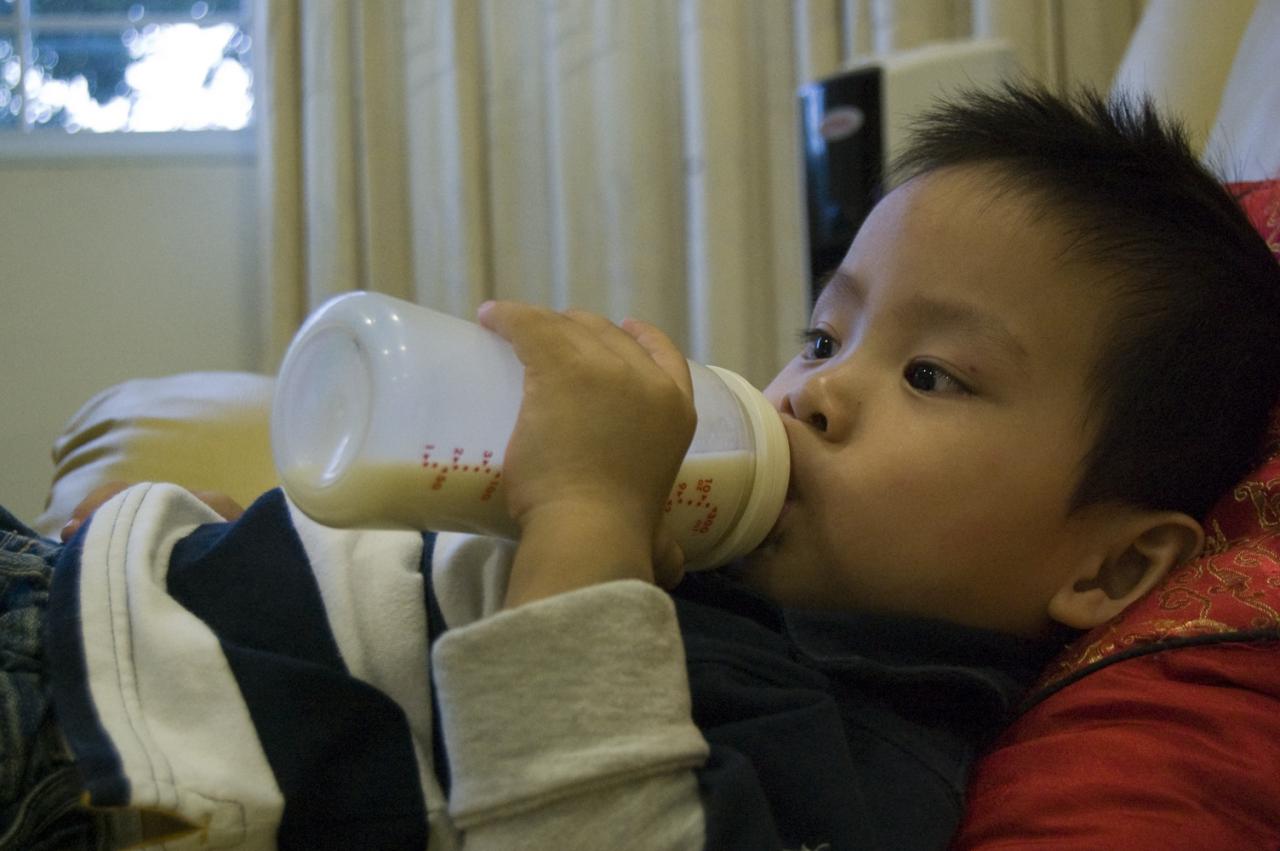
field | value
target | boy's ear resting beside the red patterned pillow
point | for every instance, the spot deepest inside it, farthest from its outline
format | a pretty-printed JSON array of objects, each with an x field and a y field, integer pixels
[{"x": 1140, "y": 548}]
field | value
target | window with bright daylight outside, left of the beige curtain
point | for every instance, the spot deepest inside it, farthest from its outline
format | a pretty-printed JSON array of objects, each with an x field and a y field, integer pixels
[{"x": 124, "y": 68}]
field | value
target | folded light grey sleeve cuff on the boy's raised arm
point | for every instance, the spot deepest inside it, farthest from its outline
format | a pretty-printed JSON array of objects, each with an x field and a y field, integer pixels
[{"x": 568, "y": 725}]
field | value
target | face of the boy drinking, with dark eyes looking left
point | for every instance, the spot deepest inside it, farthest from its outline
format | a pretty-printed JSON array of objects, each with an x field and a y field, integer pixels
[{"x": 938, "y": 417}]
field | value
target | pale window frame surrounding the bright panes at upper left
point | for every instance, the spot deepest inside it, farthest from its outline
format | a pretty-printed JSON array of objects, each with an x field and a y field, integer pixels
[{"x": 30, "y": 143}]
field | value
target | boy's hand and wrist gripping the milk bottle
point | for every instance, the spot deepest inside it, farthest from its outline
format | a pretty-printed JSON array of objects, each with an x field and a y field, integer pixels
[{"x": 606, "y": 420}]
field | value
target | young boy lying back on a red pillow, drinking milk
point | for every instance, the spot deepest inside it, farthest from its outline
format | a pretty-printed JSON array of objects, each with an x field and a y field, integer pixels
[{"x": 1046, "y": 355}]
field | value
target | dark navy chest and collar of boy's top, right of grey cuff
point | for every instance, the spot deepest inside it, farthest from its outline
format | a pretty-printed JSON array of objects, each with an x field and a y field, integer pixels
[{"x": 858, "y": 731}]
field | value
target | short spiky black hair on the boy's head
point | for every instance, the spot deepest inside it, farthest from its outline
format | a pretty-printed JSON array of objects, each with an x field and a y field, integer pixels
[{"x": 1185, "y": 386}]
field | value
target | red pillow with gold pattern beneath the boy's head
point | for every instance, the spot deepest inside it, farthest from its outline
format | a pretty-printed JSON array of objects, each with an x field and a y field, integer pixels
[{"x": 1162, "y": 730}]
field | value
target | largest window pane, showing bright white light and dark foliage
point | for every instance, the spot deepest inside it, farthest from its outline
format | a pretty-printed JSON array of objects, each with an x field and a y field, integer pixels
[{"x": 172, "y": 77}]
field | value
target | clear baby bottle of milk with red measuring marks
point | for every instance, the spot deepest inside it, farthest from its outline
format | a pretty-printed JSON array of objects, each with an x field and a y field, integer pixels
[{"x": 388, "y": 415}]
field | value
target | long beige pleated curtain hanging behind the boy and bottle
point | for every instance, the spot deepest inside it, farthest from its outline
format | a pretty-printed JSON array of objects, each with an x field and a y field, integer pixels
[{"x": 630, "y": 157}]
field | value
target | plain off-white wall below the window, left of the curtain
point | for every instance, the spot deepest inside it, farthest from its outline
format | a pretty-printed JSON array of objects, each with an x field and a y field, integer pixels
[{"x": 116, "y": 269}]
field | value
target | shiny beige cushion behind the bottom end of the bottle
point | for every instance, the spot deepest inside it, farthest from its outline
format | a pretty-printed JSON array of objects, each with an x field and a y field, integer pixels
[{"x": 200, "y": 431}]
